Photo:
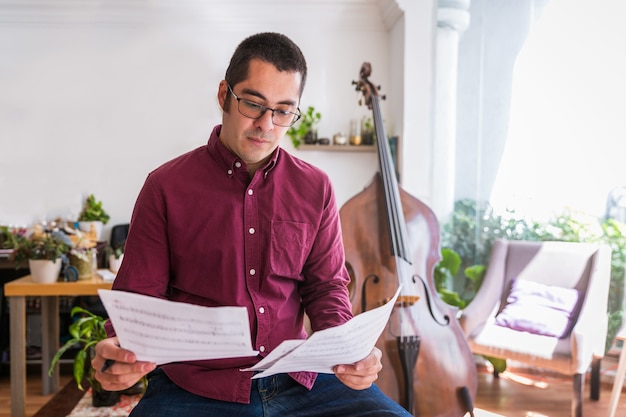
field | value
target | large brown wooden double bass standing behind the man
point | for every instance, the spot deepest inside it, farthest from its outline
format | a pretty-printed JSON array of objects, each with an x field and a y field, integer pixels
[{"x": 391, "y": 239}]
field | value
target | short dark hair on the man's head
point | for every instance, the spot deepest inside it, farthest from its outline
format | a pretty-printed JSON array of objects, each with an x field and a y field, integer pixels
[{"x": 273, "y": 48}]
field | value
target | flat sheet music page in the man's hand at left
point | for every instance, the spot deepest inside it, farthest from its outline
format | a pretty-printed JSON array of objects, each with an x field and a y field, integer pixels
[{"x": 163, "y": 331}]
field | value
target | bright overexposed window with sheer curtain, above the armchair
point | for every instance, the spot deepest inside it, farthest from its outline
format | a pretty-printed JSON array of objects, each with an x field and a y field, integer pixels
[{"x": 542, "y": 105}]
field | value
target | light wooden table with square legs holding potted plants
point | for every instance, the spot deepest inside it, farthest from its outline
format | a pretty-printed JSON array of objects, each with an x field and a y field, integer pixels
[{"x": 18, "y": 290}]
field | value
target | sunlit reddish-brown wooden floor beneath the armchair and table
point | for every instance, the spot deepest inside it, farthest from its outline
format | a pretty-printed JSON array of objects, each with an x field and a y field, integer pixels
[{"x": 517, "y": 393}]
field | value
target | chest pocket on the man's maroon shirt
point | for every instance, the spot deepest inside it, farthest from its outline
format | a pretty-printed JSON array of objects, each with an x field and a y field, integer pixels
[{"x": 290, "y": 246}]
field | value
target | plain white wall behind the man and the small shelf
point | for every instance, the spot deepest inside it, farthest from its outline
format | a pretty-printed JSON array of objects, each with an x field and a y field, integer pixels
[{"x": 93, "y": 95}]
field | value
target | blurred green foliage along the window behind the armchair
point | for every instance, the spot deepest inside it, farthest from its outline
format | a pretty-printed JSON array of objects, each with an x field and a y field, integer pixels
[{"x": 473, "y": 228}]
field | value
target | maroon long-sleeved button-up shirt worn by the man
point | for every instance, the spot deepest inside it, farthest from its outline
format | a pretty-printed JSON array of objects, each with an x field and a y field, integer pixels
[{"x": 204, "y": 232}]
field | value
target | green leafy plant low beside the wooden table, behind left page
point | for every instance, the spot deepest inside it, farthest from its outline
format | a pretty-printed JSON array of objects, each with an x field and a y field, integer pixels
[{"x": 86, "y": 332}]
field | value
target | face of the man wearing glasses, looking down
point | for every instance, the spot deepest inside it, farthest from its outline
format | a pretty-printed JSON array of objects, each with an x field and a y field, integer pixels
[{"x": 253, "y": 140}]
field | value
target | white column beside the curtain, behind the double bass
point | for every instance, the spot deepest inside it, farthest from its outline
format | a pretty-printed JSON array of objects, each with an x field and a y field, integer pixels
[{"x": 453, "y": 19}]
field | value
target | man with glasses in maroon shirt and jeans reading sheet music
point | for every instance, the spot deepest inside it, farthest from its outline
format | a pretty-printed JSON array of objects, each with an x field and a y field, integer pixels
[{"x": 240, "y": 222}]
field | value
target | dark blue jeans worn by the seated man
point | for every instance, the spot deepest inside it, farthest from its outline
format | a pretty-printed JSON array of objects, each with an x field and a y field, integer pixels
[{"x": 274, "y": 396}]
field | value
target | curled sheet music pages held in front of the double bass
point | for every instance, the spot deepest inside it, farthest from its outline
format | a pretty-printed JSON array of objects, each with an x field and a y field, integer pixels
[{"x": 343, "y": 344}]
